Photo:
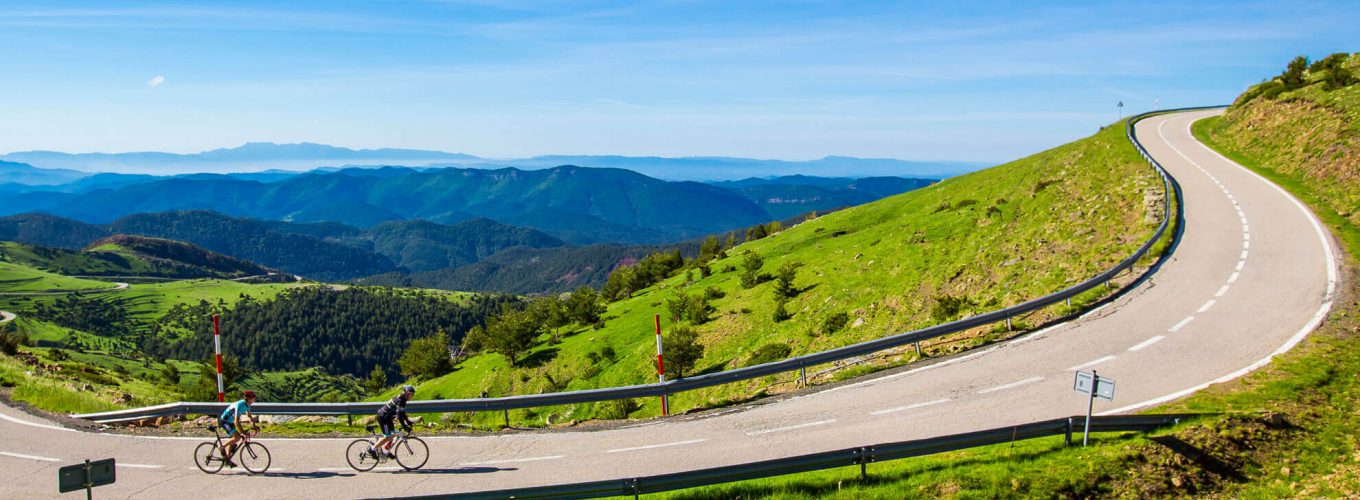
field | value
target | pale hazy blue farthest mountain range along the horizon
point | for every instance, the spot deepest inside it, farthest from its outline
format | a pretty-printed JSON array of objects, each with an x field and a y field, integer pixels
[{"x": 265, "y": 157}]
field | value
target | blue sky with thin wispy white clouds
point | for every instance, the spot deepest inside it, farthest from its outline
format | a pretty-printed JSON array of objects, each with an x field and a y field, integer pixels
[{"x": 969, "y": 82}]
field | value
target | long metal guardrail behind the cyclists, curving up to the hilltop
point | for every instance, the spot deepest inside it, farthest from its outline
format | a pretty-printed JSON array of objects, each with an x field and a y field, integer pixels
[{"x": 711, "y": 380}]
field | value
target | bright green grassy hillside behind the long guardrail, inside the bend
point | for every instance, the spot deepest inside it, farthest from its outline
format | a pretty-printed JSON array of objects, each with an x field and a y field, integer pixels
[{"x": 998, "y": 238}]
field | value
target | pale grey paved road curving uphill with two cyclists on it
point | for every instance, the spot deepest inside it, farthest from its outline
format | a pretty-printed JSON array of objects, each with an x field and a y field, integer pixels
[{"x": 1253, "y": 275}]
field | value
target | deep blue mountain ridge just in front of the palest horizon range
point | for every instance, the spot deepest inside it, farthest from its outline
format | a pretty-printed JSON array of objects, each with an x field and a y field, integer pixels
[{"x": 575, "y": 204}]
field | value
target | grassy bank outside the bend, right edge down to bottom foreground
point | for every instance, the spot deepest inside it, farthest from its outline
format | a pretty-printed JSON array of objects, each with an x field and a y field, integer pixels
[{"x": 1293, "y": 431}]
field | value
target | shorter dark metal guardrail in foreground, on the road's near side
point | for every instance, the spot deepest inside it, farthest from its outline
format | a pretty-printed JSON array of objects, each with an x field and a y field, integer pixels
[{"x": 829, "y": 460}]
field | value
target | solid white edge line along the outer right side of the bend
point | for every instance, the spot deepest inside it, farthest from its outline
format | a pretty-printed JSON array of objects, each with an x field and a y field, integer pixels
[{"x": 1298, "y": 338}]
